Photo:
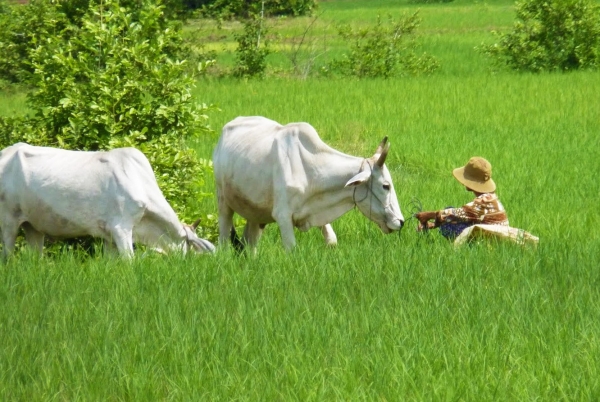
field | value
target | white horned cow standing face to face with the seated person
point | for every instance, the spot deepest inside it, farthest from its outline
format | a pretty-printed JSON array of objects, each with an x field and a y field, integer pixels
[{"x": 267, "y": 173}]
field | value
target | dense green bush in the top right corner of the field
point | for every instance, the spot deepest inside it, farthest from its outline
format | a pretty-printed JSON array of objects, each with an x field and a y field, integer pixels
[{"x": 550, "y": 35}]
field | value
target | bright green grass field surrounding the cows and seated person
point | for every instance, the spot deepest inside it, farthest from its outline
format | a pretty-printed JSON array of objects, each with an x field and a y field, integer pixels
[{"x": 396, "y": 317}]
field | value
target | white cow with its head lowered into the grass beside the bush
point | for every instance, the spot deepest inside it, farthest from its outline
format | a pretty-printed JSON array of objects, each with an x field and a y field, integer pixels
[{"x": 112, "y": 195}]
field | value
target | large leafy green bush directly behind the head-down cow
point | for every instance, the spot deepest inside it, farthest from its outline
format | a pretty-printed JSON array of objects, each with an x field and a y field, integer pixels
[{"x": 114, "y": 84}]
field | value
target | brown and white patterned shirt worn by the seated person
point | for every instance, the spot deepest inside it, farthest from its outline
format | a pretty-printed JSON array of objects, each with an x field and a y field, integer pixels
[{"x": 486, "y": 209}]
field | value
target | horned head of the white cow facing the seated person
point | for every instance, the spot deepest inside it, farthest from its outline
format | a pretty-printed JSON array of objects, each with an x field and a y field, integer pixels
[{"x": 374, "y": 192}]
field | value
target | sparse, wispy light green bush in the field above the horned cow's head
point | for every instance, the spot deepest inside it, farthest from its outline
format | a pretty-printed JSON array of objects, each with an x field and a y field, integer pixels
[{"x": 383, "y": 51}]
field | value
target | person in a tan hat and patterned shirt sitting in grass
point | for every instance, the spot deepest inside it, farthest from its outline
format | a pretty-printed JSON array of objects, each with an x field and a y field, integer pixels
[{"x": 486, "y": 208}]
